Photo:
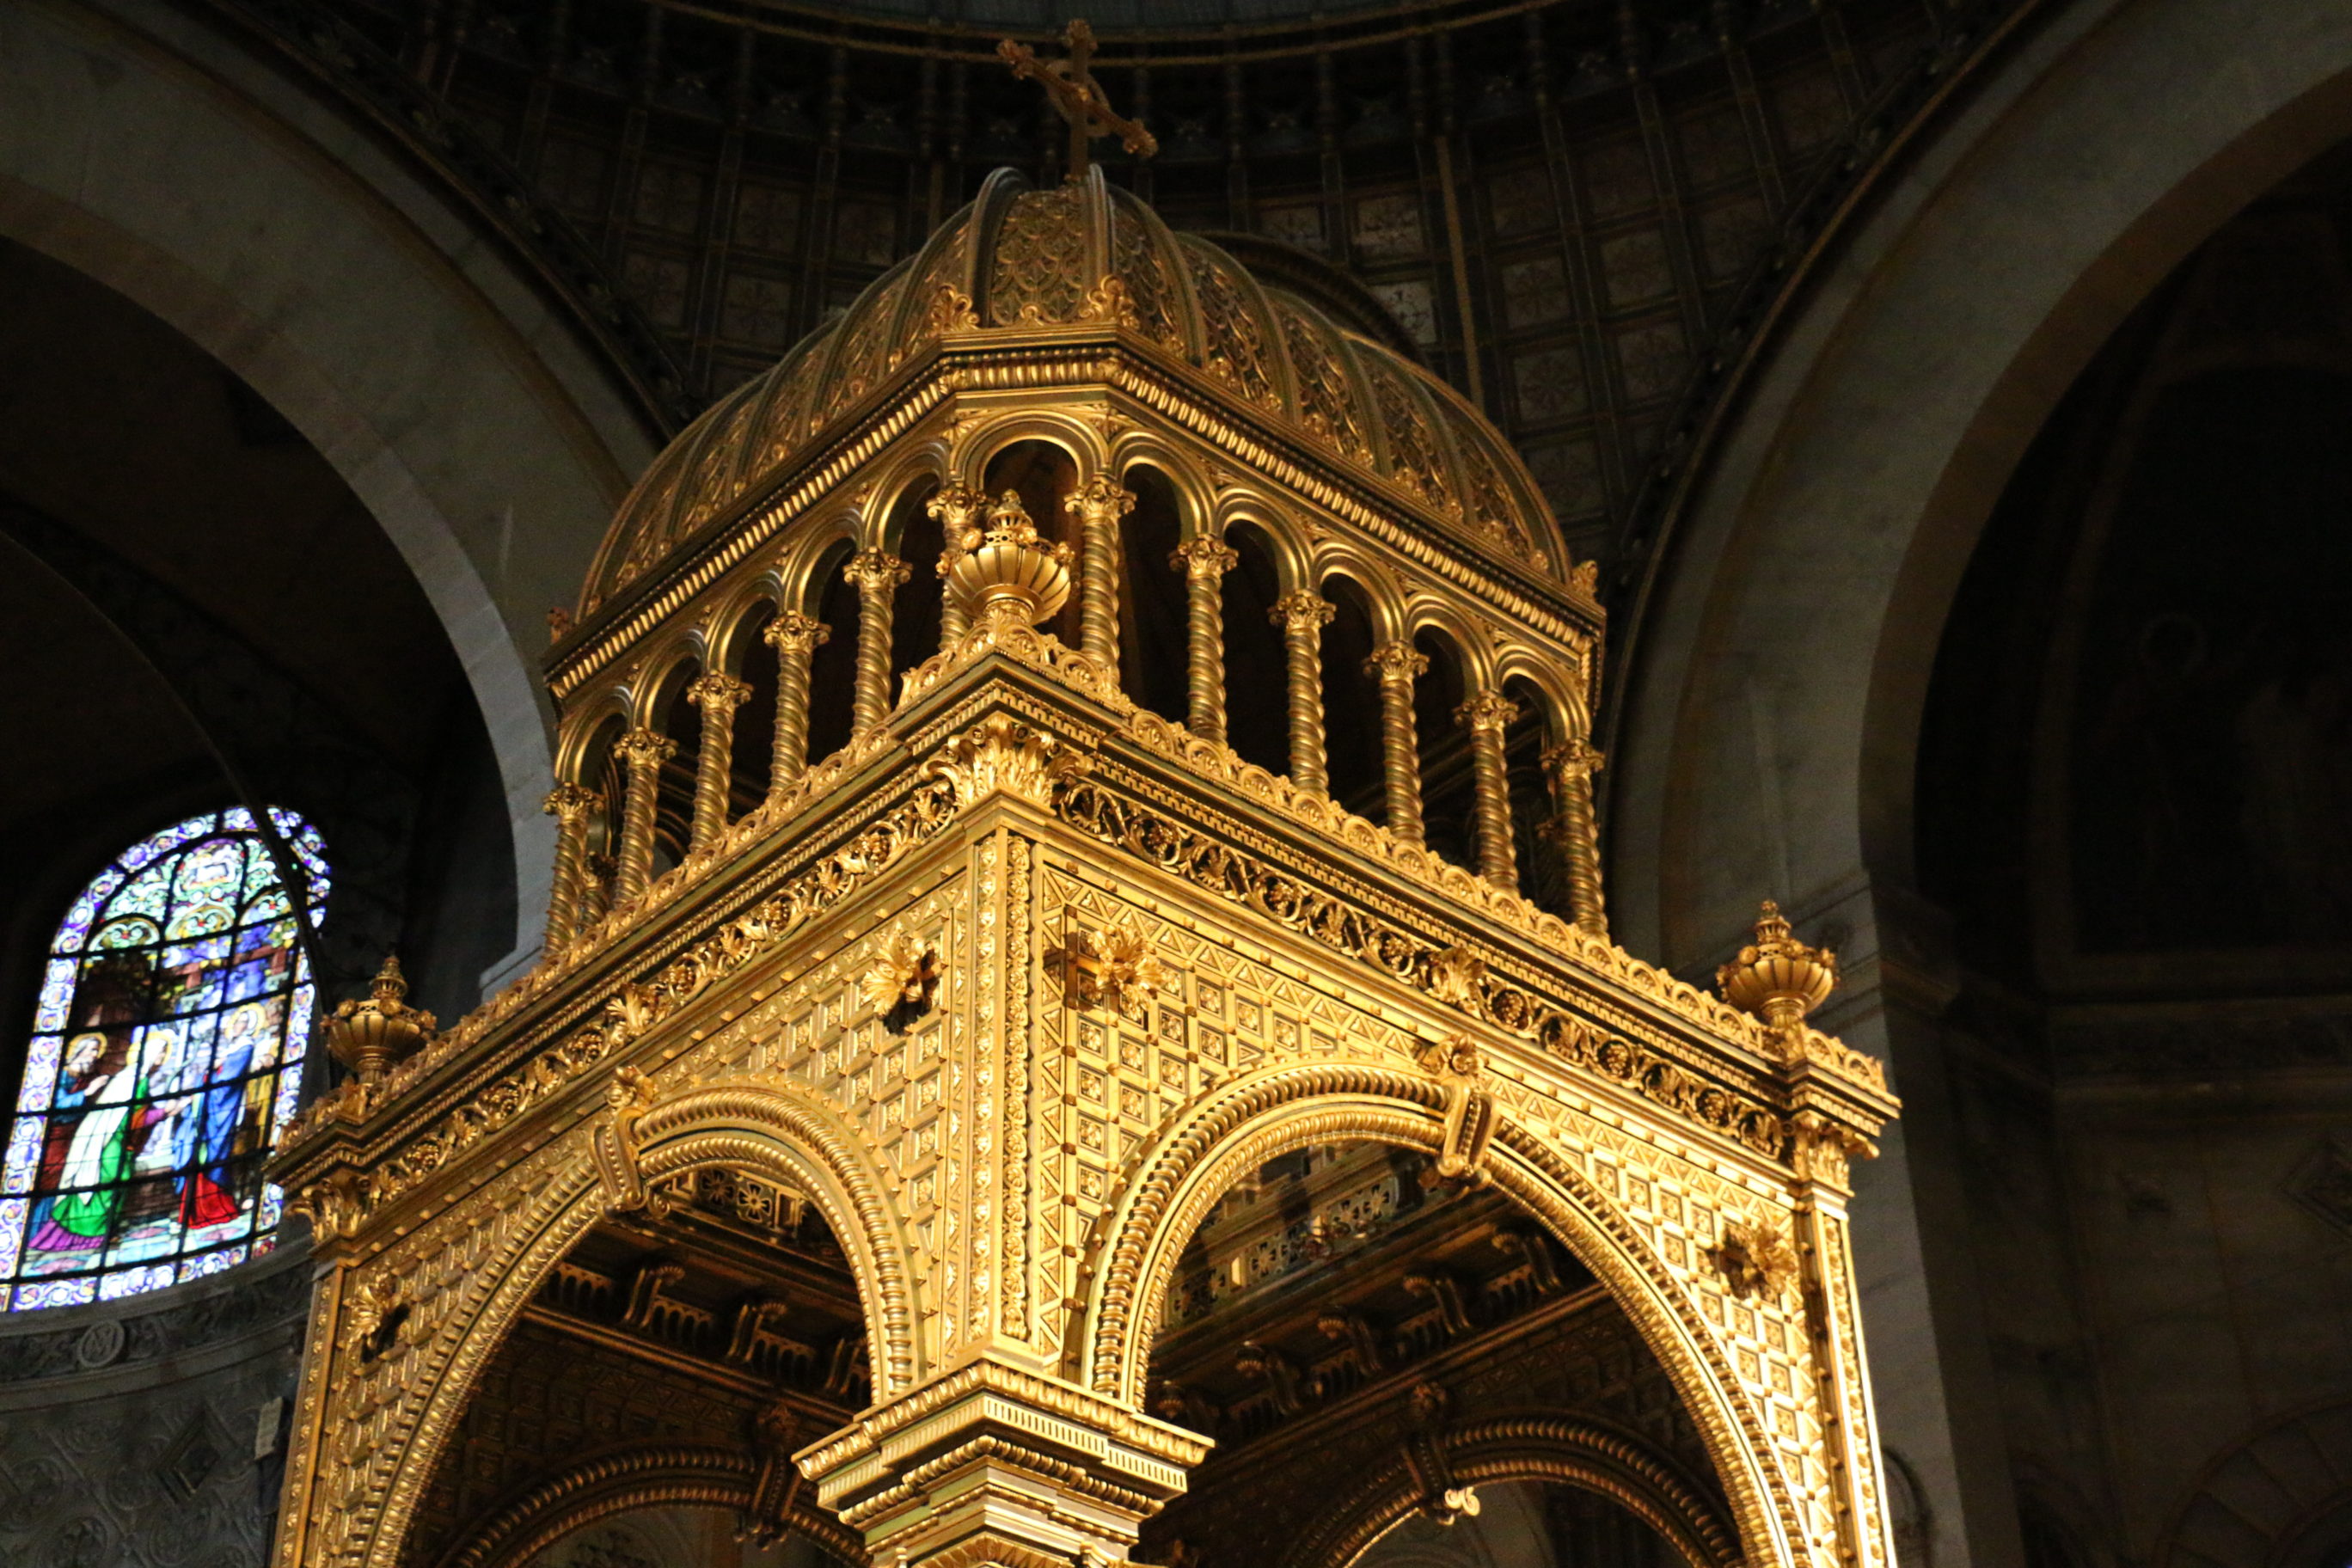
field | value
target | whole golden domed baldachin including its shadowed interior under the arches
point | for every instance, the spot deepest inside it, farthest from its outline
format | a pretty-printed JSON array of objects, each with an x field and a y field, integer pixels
[{"x": 893, "y": 1118}]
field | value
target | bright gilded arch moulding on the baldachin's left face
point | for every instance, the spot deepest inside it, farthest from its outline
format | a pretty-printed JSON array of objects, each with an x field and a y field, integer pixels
[{"x": 766, "y": 1127}]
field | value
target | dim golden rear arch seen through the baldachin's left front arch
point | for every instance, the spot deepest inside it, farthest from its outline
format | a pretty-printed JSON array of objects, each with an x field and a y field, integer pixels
[{"x": 634, "y": 1477}]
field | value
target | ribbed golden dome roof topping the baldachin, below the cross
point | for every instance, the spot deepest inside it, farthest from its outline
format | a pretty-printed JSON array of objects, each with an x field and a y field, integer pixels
[{"x": 1085, "y": 253}]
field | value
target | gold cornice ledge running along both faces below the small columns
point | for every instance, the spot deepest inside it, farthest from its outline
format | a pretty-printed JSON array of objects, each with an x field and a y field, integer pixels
[{"x": 1299, "y": 838}]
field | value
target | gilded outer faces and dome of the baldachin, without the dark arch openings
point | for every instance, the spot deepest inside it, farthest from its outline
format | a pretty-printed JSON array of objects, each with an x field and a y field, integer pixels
[{"x": 862, "y": 989}]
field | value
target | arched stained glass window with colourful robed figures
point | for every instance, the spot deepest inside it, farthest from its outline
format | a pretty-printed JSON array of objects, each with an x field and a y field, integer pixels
[{"x": 166, "y": 1057}]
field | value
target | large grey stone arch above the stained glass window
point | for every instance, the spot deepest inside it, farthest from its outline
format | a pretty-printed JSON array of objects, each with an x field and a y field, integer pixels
[{"x": 314, "y": 272}]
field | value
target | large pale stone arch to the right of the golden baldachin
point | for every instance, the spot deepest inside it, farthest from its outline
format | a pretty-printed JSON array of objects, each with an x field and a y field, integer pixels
[{"x": 1817, "y": 563}]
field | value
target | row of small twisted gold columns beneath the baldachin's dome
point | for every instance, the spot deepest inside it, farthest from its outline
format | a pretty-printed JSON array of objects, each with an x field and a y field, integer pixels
[{"x": 1097, "y": 507}]
